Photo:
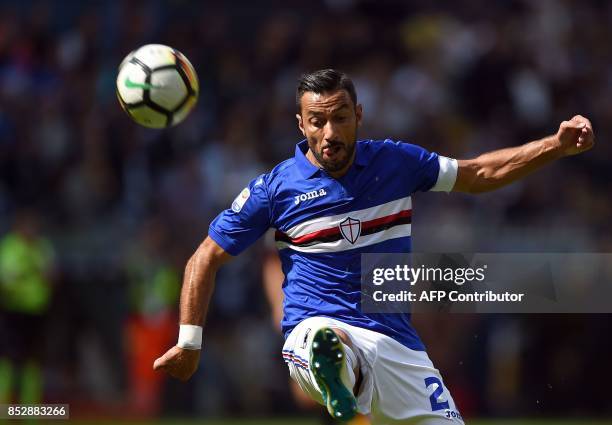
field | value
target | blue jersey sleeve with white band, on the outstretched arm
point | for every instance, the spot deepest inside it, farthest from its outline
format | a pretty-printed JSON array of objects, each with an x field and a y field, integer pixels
[{"x": 427, "y": 170}]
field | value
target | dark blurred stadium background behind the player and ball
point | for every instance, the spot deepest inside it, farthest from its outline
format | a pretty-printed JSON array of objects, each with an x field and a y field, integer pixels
[{"x": 98, "y": 216}]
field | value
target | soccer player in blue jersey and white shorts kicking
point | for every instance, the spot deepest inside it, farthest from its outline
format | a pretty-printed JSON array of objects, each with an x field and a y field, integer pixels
[{"x": 334, "y": 200}]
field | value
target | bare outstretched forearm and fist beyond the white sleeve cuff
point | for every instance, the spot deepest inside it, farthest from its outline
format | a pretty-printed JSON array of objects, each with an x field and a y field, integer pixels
[{"x": 495, "y": 169}]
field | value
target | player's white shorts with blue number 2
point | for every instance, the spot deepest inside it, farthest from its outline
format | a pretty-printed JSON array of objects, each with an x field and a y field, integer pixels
[{"x": 399, "y": 385}]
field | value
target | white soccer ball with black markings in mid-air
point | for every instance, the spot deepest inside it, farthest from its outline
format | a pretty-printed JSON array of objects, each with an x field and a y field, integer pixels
[{"x": 157, "y": 86}]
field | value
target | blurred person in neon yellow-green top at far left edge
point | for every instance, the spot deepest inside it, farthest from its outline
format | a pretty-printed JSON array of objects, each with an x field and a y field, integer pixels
[{"x": 26, "y": 266}]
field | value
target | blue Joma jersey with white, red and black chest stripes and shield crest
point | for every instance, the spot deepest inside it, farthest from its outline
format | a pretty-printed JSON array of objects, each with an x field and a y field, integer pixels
[{"x": 323, "y": 225}]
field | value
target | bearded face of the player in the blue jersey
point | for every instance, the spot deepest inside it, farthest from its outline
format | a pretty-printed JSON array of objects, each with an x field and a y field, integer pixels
[{"x": 329, "y": 122}]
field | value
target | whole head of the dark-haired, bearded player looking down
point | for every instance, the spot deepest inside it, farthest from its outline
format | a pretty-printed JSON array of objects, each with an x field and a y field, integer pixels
[{"x": 328, "y": 116}]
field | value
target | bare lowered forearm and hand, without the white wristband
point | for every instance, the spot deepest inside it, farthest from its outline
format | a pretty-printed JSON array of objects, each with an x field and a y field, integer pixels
[{"x": 198, "y": 285}]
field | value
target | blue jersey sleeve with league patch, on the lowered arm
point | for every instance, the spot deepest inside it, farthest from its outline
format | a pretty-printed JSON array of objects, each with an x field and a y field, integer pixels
[{"x": 238, "y": 227}]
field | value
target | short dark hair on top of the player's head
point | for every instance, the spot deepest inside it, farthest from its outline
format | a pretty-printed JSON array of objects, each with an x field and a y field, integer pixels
[{"x": 324, "y": 80}]
